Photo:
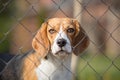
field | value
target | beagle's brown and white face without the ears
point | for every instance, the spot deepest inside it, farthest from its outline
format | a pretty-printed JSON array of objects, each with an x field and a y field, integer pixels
[{"x": 61, "y": 33}]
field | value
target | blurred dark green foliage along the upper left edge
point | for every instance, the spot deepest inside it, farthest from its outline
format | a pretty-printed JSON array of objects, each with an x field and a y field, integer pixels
[{"x": 5, "y": 24}]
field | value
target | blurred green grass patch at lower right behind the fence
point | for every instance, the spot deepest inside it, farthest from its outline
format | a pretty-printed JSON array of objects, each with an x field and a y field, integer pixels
[{"x": 98, "y": 67}]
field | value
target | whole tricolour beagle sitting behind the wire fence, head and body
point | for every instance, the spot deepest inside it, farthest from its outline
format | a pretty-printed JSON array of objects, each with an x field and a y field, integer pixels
[{"x": 53, "y": 46}]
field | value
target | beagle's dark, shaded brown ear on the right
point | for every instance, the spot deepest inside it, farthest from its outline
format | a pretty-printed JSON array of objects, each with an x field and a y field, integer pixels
[{"x": 81, "y": 40}]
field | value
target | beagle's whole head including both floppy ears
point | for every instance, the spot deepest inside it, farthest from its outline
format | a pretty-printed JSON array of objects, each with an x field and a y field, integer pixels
[{"x": 61, "y": 36}]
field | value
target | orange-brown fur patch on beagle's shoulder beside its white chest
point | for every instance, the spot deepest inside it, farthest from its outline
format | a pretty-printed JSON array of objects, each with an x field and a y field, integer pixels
[{"x": 30, "y": 64}]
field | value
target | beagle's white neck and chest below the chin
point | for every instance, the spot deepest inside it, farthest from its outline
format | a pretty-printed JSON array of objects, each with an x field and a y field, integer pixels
[{"x": 54, "y": 68}]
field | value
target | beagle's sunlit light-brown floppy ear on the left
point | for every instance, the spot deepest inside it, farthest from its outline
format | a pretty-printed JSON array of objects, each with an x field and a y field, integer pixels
[{"x": 40, "y": 42}]
